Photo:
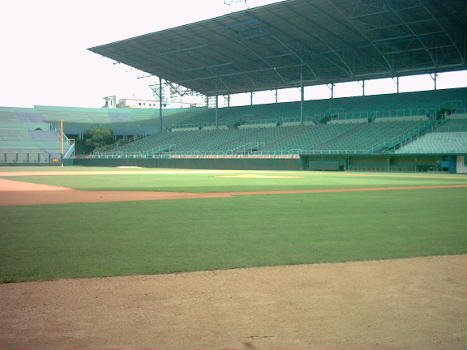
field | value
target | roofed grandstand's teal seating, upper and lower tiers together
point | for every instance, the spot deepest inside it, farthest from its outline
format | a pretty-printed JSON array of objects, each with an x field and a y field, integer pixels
[{"x": 365, "y": 124}]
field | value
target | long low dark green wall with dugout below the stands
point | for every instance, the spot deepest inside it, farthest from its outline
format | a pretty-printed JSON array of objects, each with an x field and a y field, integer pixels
[{"x": 390, "y": 163}]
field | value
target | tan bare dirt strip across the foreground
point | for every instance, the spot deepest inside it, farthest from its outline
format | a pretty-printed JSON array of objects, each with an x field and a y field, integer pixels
[{"x": 417, "y": 303}]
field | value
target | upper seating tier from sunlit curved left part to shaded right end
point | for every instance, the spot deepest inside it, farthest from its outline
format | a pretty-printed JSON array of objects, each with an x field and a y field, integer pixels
[{"x": 129, "y": 121}]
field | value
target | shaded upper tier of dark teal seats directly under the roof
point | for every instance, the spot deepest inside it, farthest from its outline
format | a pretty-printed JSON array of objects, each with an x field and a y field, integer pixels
[{"x": 411, "y": 106}]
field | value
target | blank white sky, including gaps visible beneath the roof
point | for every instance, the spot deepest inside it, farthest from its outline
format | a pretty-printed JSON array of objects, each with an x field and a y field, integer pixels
[{"x": 44, "y": 58}]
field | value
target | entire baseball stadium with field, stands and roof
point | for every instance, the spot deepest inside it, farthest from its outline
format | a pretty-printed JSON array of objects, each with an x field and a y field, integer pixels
[{"x": 309, "y": 224}]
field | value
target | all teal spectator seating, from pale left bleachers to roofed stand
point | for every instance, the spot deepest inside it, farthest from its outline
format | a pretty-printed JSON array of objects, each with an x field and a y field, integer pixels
[{"x": 418, "y": 122}]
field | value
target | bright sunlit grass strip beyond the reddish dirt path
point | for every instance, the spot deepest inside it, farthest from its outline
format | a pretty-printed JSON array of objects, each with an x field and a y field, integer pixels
[{"x": 216, "y": 181}]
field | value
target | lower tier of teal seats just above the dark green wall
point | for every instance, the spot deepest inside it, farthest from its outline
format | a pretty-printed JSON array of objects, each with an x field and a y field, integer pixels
[{"x": 360, "y": 137}]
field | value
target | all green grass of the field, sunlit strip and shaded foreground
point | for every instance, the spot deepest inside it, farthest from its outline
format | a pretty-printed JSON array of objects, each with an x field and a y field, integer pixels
[{"x": 147, "y": 237}]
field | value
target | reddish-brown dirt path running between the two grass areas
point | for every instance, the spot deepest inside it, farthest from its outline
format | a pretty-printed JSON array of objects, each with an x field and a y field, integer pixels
[{"x": 25, "y": 193}]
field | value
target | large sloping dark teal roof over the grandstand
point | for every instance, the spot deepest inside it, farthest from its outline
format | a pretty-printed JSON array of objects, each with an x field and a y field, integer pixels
[{"x": 328, "y": 40}]
